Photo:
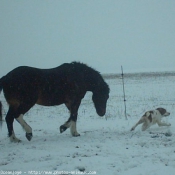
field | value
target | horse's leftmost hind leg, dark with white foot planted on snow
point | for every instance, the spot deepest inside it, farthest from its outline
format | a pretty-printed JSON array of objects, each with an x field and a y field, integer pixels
[{"x": 9, "y": 120}]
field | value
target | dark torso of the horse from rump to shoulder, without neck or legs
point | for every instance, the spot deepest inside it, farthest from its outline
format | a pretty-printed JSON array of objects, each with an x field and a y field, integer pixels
[{"x": 42, "y": 86}]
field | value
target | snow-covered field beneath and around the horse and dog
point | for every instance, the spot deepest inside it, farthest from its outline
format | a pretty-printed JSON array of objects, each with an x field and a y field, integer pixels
[{"x": 106, "y": 145}]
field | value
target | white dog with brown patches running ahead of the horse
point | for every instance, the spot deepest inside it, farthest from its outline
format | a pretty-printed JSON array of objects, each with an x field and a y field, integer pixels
[{"x": 152, "y": 117}]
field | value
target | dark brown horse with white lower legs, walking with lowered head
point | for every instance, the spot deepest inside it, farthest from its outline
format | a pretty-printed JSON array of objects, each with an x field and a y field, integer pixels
[{"x": 25, "y": 86}]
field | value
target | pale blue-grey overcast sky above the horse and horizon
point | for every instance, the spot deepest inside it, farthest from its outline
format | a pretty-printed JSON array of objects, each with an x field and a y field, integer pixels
[{"x": 105, "y": 34}]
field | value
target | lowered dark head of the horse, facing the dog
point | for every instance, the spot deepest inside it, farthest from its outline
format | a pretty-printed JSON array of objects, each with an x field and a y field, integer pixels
[{"x": 100, "y": 100}]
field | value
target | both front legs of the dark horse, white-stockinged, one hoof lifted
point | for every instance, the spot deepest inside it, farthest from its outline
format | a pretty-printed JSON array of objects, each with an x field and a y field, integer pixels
[{"x": 71, "y": 123}]
